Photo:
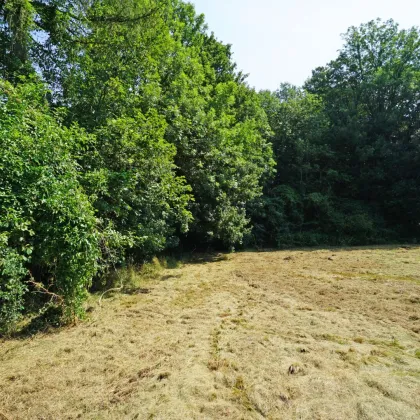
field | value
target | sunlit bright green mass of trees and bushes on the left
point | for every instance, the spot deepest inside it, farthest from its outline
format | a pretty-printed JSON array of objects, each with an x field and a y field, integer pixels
[{"x": 163, "y": 138}]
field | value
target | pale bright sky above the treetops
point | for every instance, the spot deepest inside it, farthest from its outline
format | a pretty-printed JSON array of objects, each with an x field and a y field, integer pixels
[{"x": 282, "y": 41}]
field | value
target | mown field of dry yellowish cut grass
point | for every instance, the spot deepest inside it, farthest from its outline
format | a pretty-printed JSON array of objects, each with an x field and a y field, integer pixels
[{"x": 306, "y": 334}]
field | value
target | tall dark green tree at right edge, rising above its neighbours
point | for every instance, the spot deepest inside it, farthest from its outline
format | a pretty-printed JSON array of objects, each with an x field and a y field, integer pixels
[{"x": 372, "y": 97}]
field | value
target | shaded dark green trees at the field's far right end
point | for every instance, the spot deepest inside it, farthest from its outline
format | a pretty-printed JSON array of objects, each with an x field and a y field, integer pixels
[{"x": 347, "y": 146}]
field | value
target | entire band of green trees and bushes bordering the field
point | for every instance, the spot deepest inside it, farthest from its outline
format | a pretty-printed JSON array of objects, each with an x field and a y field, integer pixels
[{"x": 126, "y": 130}]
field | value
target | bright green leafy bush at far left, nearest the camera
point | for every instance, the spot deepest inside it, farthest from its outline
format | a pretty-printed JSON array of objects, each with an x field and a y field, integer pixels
[{"x": 48, "y": 237}]
